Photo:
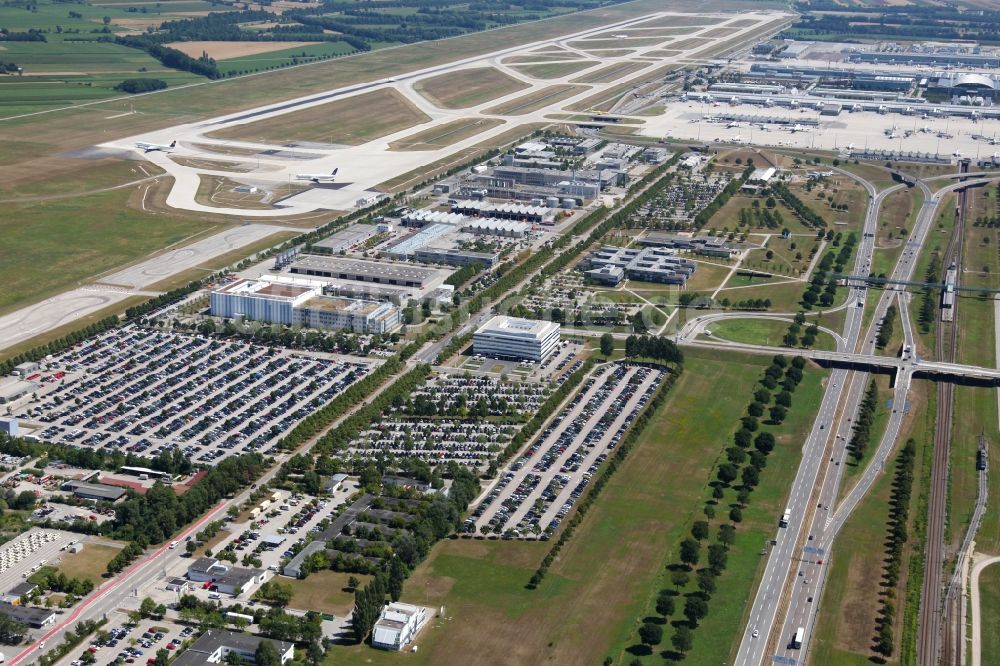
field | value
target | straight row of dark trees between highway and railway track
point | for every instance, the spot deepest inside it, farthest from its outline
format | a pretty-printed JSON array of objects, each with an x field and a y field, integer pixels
[{"x": 899, "y": 509}]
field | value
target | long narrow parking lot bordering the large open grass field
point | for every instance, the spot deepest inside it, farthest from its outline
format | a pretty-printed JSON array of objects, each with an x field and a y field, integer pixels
[{"x": 536, "y": 492}]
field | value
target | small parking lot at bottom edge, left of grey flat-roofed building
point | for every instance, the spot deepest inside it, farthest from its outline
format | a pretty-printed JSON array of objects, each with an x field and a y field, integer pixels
[{"x": 129, "y": 644}]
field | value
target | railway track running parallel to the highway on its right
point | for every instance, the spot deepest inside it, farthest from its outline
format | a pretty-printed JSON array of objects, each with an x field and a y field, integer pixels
[{"x": 934, "y": 645}]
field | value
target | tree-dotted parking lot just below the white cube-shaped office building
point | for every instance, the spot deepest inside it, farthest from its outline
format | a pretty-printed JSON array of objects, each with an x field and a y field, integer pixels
[{"x": 452, "y": 417}]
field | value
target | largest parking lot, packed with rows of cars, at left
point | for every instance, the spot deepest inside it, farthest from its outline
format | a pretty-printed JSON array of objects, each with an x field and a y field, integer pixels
[{"x": 145, "y": 391}]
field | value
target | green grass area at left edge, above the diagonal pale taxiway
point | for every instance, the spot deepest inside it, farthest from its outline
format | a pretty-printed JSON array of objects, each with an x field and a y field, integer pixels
[{"x": 53, "y": 246}]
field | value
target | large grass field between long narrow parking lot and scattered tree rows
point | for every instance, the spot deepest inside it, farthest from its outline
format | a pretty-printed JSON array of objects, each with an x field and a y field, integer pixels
[{"x": 613, "y": 565}]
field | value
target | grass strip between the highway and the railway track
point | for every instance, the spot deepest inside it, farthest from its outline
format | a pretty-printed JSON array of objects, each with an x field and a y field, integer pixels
[{"x": 851, "y": 599}]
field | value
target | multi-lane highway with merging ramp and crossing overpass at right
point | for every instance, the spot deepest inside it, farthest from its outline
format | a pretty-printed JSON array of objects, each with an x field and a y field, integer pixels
[{"x": 803, "y": 546}]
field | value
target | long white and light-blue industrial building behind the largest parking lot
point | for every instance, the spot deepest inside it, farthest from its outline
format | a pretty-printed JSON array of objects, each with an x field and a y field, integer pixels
[{"x": 301, "y": 302}]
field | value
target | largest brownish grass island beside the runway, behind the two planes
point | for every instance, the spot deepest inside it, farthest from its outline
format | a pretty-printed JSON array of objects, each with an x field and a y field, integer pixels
[{"x": 351, "y": 120}]
